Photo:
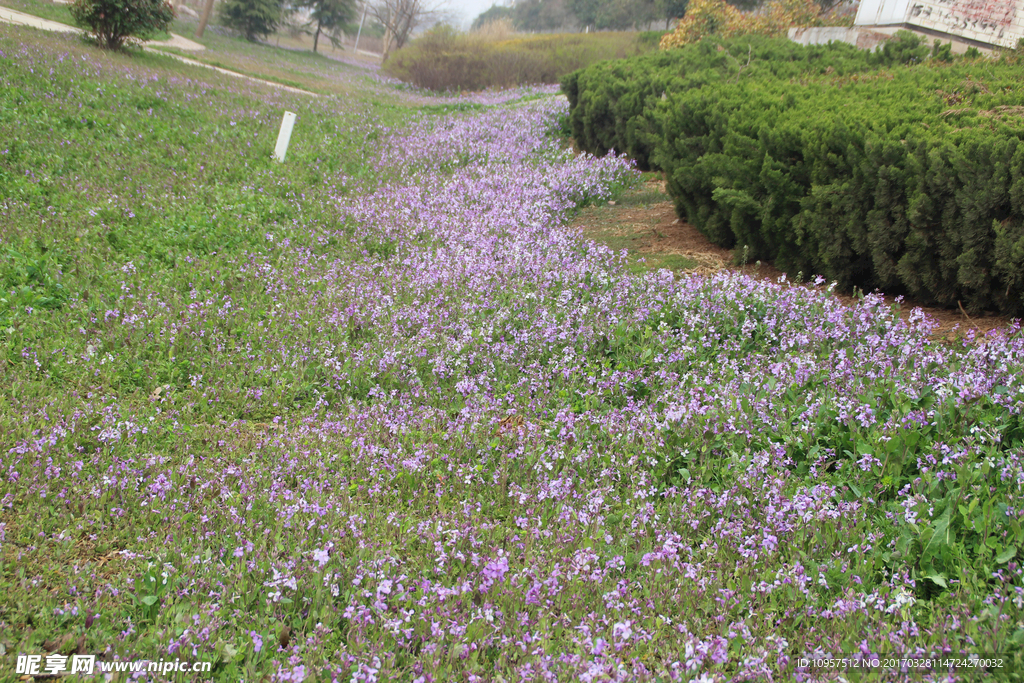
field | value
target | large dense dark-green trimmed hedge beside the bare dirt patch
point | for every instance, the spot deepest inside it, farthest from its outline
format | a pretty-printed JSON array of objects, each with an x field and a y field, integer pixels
[{"x": 910, "y": 180}]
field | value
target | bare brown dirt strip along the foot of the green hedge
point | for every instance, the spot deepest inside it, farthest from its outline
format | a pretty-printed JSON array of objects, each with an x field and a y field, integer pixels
[{"x": 646, "y": 224}]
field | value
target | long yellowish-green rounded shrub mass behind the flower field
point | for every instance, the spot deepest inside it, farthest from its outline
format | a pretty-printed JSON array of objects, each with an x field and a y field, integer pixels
[{"x": 447, "y": 60}]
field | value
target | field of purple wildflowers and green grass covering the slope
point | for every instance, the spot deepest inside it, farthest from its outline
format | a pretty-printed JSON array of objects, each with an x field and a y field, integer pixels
[{"x": 388, "y": 418}]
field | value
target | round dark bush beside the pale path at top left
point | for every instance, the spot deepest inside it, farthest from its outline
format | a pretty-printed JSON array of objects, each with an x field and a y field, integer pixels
[{"x": 114, "y": 22}]
